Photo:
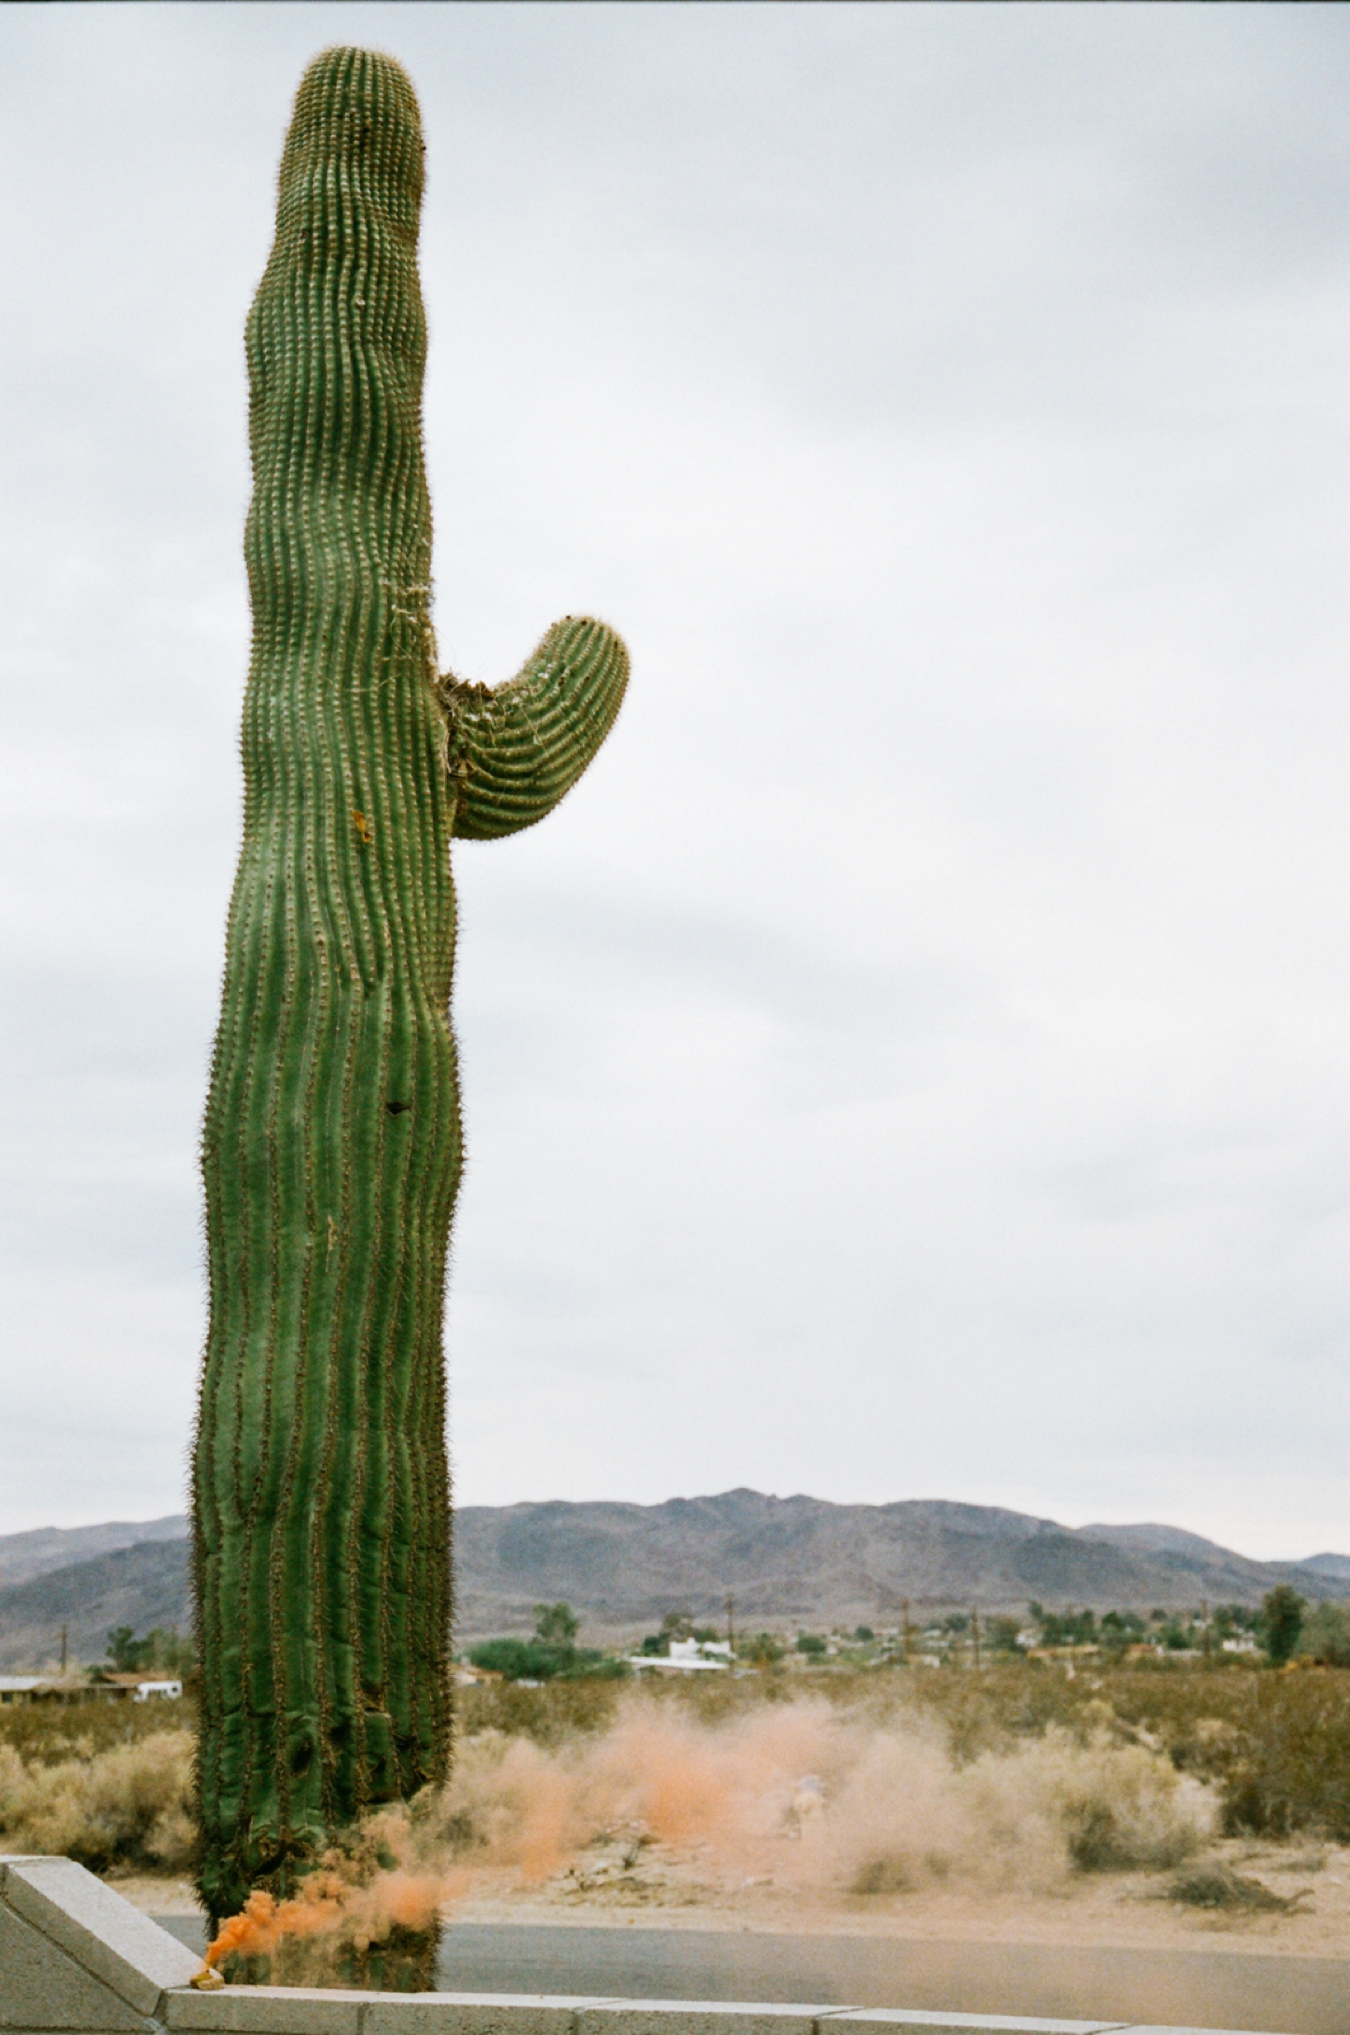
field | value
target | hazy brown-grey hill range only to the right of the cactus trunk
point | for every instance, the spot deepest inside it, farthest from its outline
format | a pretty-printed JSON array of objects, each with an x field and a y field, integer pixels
[{"x": 801, "y": 1560}]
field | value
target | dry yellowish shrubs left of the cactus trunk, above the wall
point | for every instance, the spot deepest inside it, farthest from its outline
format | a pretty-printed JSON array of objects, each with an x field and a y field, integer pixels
[{"x": 123, "y": 1808}]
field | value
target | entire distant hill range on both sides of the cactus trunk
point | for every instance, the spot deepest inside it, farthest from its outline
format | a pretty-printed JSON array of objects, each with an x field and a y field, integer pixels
[{"x": 783, "y": 1560}]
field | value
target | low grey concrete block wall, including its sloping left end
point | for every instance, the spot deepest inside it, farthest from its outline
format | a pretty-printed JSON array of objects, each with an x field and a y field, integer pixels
[{"x": 78, "y": 1959}]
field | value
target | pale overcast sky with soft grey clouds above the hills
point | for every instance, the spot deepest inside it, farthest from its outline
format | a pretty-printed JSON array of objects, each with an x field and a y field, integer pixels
[{"x": 915, "y": 1061}]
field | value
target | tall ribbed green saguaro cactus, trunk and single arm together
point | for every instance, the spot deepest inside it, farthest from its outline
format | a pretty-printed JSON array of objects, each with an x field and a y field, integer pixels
[{"x": 333, "y": 1139}]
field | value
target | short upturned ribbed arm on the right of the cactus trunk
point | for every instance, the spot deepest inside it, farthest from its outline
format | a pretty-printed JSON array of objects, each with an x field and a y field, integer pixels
[{"x": 516, "y": 750}]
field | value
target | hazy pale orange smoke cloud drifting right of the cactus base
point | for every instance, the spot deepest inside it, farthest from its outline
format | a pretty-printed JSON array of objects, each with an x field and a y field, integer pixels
[{"x": 826, "y": 1802}]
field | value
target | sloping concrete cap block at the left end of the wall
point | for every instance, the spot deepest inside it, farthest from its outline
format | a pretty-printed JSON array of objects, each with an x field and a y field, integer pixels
[{"x": 97, "y": 1928}]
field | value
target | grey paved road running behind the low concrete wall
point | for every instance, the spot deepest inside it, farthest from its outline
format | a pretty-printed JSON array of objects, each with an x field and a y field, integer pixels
[{"x": 1206, "y": 1989}]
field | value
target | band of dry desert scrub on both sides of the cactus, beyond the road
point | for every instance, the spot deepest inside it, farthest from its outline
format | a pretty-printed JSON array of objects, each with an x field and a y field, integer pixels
[{"x": 1019, "y": 1774}]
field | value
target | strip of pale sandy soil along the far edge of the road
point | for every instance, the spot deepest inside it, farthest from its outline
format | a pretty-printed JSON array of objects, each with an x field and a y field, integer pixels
[{"x": 681, "y": 1889}]
